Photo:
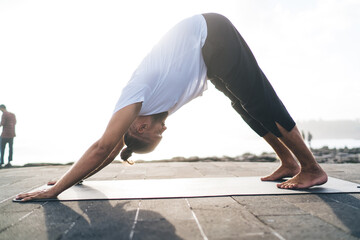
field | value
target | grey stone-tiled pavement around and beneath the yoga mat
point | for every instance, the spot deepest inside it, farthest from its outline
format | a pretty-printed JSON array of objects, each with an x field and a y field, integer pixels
[{"x": 323, "y": 216}]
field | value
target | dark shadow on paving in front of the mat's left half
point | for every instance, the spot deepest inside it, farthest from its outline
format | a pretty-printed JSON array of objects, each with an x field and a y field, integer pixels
[{"x": 100, "y": 220}]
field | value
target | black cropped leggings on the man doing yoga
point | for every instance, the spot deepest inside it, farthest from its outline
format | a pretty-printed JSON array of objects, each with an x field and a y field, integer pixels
[{"x": 233, "y": 69}]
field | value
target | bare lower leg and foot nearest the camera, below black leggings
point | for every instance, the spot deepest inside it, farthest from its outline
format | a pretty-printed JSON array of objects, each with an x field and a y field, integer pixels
[{"x": 311, "y": 173}]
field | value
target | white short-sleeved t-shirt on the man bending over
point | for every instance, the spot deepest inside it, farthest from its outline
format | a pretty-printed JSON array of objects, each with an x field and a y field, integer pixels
[{"x": 172, "y": 74}]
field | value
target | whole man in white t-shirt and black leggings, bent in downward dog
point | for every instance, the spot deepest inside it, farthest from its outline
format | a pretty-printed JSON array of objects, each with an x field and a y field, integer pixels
[{"x": 203, "y": 47}]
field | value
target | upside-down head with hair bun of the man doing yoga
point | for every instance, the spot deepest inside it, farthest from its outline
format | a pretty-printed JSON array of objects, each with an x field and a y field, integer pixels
[{"x": 144, "y": 134}]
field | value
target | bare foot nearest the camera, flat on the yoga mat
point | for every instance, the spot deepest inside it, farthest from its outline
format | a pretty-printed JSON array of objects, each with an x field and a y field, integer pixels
[{"x": 305, "y": 179}]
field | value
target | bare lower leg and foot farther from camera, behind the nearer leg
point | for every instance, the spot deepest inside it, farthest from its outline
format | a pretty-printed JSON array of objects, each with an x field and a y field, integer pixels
[{"x": 289, "y": 166}]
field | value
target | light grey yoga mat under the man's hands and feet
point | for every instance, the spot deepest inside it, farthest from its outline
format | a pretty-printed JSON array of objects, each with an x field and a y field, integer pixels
[{"x": 191, "y": 187}]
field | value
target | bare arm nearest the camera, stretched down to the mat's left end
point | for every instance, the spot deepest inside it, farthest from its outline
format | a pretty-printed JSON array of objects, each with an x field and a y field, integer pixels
[{"x": 94, "y": 156}]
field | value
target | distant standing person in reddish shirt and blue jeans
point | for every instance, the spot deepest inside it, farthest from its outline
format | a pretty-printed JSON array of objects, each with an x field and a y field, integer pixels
[{"x": 8, "y": 121}]
